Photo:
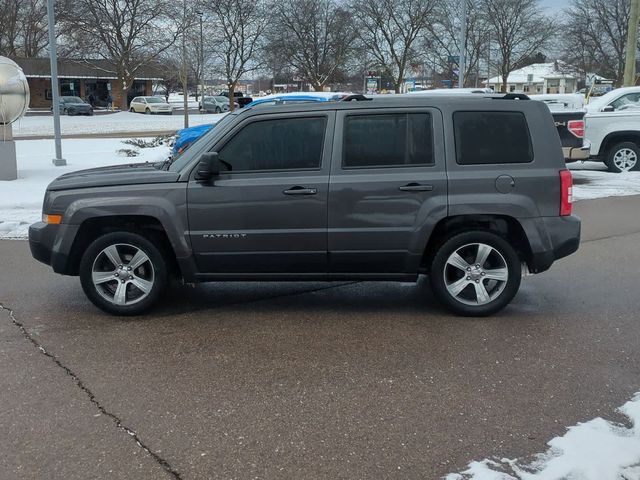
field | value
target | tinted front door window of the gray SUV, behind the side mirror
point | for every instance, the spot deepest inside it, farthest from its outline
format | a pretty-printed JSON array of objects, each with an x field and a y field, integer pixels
[{"x": 281, "y": 144}]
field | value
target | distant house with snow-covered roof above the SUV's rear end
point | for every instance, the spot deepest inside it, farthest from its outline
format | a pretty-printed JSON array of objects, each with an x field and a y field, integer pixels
[{"x": 554, "y": 77}]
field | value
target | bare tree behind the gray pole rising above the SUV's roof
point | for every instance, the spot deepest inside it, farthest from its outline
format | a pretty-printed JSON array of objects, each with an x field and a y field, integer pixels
[{"x": 443, "y": 37}]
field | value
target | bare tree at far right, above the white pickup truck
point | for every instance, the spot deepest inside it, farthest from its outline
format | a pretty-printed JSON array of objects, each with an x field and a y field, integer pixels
[{"x": 595, "y": 36}]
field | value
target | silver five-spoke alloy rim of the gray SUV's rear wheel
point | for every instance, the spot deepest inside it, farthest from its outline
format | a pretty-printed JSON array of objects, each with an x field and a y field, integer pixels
[{"x": 476, "y": 274}]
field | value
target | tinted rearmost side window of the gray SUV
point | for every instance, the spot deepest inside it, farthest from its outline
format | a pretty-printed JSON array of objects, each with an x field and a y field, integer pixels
[{"x": 492, "y": 138}]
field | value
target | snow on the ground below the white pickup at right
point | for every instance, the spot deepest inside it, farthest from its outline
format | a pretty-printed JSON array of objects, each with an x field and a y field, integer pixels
[{"x": 591, "y": 180}]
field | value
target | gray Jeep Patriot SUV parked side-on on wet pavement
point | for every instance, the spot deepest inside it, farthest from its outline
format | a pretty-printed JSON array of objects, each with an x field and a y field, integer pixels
[{"x": 472, "y": 191}]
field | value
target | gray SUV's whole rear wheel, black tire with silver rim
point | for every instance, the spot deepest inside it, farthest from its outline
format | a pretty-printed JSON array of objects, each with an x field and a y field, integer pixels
[{"x": 444, "y": 276}]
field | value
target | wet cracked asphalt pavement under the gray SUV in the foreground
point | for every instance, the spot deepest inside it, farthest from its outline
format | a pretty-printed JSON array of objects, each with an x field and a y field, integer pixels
[{"x": 346, "y": 380}]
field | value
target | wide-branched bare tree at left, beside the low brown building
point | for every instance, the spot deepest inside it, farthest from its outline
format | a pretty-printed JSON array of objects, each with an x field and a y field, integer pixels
[{"x": 130, "y": 33}]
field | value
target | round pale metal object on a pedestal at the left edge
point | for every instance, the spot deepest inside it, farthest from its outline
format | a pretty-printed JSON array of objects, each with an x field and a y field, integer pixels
[{"x": 14, "y": 92}]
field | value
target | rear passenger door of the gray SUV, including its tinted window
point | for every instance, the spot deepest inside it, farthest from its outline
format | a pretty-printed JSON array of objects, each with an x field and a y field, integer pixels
[{"x": 388, "y": 188}]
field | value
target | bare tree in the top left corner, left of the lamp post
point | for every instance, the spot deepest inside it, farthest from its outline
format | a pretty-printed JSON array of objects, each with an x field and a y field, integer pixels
[{"x": 24, "y": 27}]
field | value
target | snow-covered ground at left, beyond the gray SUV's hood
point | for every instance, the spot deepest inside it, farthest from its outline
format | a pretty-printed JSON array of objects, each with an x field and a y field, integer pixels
[{"x": 21, "y": 199}]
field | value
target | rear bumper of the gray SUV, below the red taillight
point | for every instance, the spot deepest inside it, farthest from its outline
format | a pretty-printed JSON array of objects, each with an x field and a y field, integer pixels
[{"x": 564, "y": 239}]
